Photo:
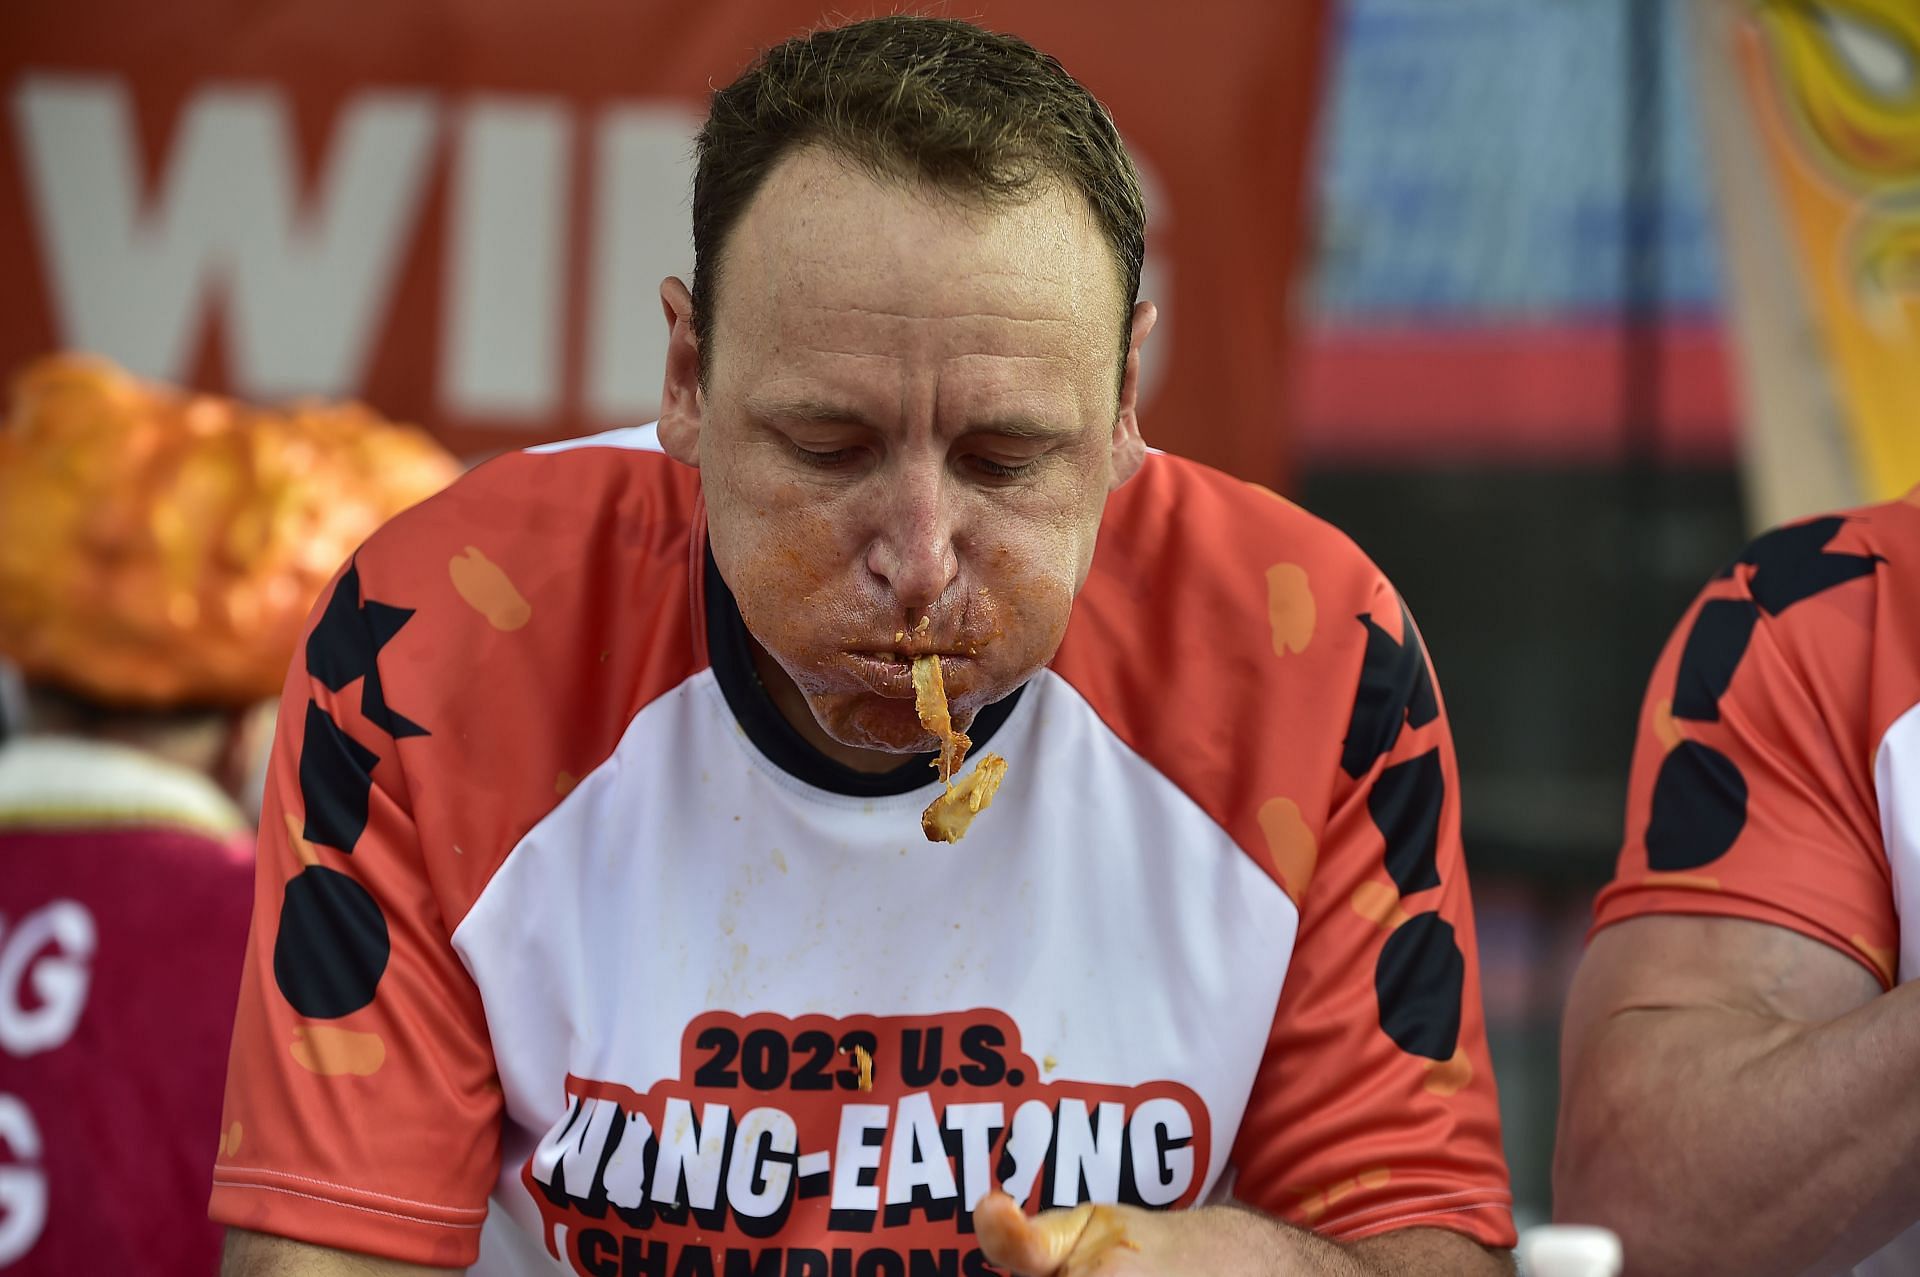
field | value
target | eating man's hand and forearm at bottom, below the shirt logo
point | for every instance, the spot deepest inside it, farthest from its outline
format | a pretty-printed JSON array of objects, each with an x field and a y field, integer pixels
[{"x": 1220, "y": 1241}]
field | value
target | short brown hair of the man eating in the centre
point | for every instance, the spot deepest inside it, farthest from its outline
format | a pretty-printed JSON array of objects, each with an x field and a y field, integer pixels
[{"x": 932, "y": 101}]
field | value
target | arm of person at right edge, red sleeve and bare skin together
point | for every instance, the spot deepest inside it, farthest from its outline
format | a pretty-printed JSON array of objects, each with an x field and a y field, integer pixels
[{"x": 1737, "y": 1076}]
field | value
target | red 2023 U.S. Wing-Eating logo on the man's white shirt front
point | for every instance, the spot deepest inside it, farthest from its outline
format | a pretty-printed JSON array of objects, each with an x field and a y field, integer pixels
[{"x": 865, "y": 1140}]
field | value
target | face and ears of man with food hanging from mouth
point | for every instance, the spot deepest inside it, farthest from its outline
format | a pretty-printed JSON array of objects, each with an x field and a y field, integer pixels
[{"x": 907, "y": 439}]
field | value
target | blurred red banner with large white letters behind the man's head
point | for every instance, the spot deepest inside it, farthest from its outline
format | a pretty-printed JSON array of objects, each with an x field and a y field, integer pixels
[{"x": 460, "y": 210}]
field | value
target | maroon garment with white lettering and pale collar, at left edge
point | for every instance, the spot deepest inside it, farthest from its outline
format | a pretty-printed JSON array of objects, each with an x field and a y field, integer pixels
[{"x": 126, "y": 890}]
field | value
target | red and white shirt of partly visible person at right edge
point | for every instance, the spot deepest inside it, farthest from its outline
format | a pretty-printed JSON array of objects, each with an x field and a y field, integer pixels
[{"x": 1777, "y": 773}]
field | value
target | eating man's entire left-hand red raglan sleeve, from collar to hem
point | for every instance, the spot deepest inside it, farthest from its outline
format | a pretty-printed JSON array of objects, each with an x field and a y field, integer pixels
[{"x": 364, "y": 1107}]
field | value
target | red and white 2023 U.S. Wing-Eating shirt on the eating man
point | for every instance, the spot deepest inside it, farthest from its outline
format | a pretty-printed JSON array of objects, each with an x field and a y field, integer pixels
[{"x": 556, "y": 909}]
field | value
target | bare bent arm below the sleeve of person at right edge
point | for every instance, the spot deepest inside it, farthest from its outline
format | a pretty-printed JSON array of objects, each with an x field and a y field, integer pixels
[{"x": 1739, "y": 1099}]
